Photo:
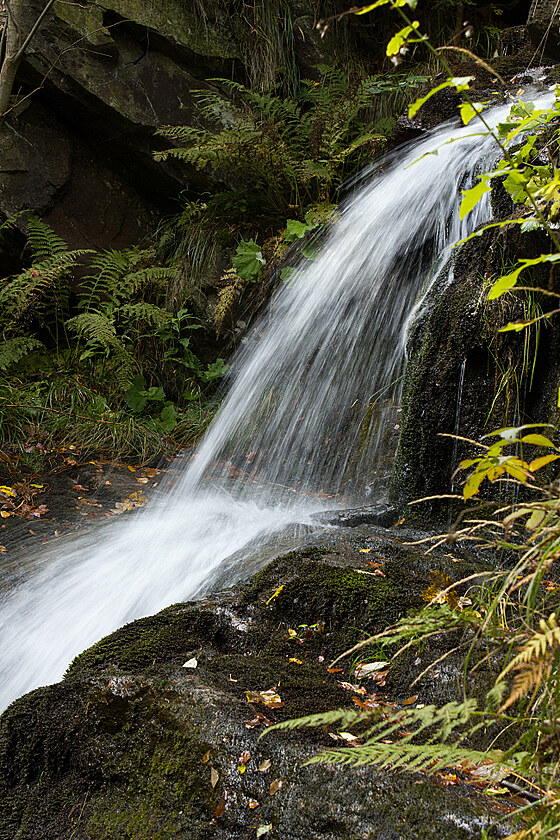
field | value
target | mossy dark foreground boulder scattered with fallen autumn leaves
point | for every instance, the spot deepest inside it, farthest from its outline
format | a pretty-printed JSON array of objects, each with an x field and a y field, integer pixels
[{"x": 132, "y": 744}]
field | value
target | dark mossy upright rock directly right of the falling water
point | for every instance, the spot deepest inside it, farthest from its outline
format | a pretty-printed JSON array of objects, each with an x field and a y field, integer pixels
[{"x": 463, "y": 377}]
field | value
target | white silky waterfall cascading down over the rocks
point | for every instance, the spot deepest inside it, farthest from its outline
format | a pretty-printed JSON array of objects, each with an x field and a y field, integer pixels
[{"x": 299, "y": 396}]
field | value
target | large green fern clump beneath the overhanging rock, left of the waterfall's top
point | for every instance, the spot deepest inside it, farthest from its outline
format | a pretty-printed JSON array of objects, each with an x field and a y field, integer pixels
[{"x": 284, "y": 150}]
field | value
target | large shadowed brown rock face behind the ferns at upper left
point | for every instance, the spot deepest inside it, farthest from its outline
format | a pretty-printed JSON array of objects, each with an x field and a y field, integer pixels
[{"x": 96, "y": 81}]
